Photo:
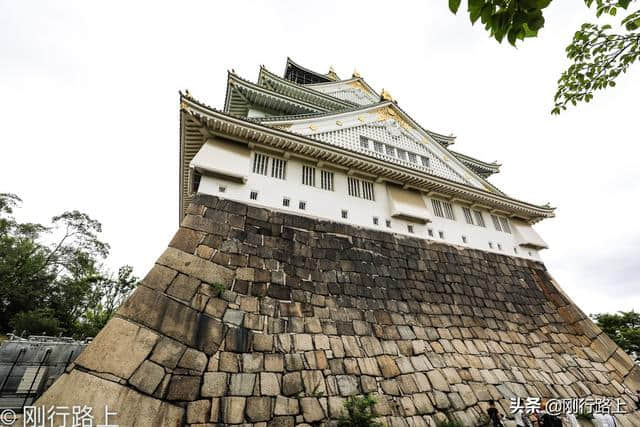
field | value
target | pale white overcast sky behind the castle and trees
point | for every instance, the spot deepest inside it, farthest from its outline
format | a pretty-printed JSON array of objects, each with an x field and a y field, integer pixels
[{"x": 89, "y": 113}]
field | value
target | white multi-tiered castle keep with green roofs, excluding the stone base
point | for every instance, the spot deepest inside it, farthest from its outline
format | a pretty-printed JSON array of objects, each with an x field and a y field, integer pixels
[{"x": 313, "y": 144}]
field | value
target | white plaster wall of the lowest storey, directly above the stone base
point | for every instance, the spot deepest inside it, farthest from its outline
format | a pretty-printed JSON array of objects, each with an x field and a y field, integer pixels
[{"x": 329, "y": 205}]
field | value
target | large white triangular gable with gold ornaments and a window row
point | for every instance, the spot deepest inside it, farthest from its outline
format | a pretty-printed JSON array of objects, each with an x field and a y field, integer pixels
[{"x": 385, "y": 123}]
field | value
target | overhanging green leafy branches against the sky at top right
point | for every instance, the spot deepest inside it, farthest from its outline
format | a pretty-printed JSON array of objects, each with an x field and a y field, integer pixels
[{"x": 598, "y": 53}]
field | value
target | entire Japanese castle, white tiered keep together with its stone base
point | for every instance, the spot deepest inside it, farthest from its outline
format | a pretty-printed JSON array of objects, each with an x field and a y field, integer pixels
[{"x": 333, "y": 246}]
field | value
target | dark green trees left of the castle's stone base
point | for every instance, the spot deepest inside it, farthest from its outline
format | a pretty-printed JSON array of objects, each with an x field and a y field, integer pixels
[{"x": 60, "y": 287}]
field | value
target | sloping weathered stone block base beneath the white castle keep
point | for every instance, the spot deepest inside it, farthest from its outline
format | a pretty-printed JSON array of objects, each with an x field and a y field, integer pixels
[{"x": 315, "y": 311}]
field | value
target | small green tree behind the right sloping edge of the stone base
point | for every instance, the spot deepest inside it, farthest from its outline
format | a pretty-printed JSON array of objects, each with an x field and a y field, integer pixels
[{"x": 623, "y": 328}]
